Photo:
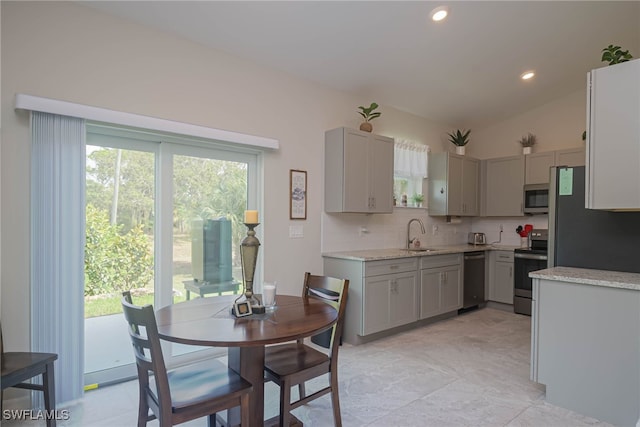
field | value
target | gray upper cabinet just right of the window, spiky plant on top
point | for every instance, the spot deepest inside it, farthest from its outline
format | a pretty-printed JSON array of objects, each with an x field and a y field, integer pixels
[{"x": 453, "y": 185}]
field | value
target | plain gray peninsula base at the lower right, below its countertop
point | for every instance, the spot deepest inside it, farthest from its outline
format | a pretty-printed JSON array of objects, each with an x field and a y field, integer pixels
[{"x": 585, "y": 347}]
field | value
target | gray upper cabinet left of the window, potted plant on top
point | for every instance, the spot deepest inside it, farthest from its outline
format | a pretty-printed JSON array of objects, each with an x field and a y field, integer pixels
[{"x": 358, "y": 172}]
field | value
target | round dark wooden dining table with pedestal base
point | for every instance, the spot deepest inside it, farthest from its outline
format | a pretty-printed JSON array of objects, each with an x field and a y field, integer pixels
[{"x": 209, "y": 322}]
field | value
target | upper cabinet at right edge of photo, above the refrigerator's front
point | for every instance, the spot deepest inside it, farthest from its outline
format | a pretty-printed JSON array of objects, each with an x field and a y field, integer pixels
[{"x": 613, "y": 137}]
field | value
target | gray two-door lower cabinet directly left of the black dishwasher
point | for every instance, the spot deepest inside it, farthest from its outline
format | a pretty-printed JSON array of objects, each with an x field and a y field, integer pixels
[{"x": 440, "y": 284}]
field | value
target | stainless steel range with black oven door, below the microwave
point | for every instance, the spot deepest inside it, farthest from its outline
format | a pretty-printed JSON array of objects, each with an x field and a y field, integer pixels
[{"x": 527, "y": 260}]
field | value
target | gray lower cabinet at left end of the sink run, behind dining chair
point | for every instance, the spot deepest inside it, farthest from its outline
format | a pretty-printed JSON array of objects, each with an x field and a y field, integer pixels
[{"x": 383, "y": 294}]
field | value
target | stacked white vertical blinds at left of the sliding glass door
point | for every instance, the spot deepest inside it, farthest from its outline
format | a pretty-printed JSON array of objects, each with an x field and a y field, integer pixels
[{"x": 58, "y": 150}]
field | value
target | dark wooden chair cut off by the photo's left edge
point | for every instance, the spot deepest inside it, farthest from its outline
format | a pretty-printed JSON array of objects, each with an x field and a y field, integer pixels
[{"x": 19, "y": 367}]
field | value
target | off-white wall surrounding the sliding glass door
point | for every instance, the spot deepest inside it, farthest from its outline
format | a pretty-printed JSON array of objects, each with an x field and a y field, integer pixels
[{"x": 66, "y": 51}]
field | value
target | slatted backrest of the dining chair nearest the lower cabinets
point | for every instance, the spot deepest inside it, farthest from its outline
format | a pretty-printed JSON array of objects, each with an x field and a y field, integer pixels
[{"x": 332, "y": 291}]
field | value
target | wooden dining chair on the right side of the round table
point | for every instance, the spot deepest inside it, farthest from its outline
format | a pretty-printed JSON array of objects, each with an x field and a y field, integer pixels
[{"x": 295, "y": 363}]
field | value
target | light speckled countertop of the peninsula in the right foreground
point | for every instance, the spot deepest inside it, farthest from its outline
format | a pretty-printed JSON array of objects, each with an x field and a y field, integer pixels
[{"x": 611, "y": 279}]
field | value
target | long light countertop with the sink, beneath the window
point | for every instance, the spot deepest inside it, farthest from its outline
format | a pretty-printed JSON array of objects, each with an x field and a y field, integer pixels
[{"x": 381, "y": 254}]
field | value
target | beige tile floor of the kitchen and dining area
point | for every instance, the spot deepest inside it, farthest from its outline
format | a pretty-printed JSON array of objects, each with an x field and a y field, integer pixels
[{"x": 471, "y": 370}]
